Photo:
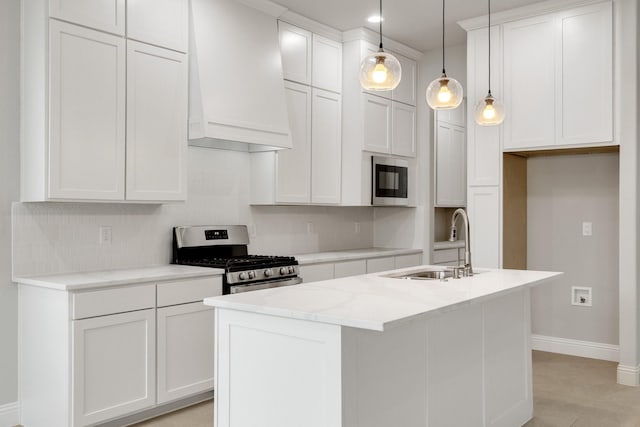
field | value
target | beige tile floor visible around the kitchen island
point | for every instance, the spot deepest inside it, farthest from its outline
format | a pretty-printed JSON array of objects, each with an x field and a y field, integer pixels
[{"x": 568, "y": 392}]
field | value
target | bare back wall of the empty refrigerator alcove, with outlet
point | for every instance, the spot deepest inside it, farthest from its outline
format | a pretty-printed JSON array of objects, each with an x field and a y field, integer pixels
[{"x": 564, "y": 191}]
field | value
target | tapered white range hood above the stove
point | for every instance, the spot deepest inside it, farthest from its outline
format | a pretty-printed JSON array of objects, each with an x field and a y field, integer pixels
[{"x": 237, "y": 99}]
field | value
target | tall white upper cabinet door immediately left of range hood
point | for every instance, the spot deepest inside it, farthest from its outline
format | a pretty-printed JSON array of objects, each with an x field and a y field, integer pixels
[{"x": 157, "y": 82}]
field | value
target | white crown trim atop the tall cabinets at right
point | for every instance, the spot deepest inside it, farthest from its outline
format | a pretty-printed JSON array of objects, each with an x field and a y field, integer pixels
[{"x": 528, "y": 11}]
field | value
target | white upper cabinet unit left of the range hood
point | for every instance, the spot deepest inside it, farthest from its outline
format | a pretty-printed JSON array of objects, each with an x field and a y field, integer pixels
[{"x": 100, "y": 123}]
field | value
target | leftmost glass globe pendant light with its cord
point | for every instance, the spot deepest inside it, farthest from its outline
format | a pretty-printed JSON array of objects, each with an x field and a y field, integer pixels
[{"x": 380, "y": 71}]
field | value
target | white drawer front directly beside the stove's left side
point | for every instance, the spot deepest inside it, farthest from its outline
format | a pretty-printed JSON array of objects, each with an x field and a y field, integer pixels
[{"x": 191, "y": 290}]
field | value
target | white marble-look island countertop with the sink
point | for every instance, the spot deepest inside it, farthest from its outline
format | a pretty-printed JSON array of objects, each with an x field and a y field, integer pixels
[{"x": 376, "y": 302}]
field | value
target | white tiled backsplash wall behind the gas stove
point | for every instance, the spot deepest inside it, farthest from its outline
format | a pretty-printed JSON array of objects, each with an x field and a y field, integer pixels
[{"x": 63, "y": 237}]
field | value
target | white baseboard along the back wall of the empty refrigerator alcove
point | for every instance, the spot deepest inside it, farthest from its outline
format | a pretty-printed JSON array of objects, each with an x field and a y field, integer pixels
[{"x": 592, "y": 350}]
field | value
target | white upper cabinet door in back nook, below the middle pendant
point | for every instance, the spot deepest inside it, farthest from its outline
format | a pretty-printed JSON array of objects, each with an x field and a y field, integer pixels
[{"x": 451, "y": 165}]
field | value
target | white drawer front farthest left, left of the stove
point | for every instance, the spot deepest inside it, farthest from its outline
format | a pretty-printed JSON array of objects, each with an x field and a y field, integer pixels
[{"x": 112, "y": 301}]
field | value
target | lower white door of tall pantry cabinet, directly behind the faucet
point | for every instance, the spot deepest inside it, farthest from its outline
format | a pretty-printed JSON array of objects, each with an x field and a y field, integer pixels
[{"x": 486, "y": 226}]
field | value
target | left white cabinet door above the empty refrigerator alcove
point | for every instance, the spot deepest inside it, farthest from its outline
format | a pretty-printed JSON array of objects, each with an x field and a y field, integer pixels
[{"x": 529, "y": 82}]
